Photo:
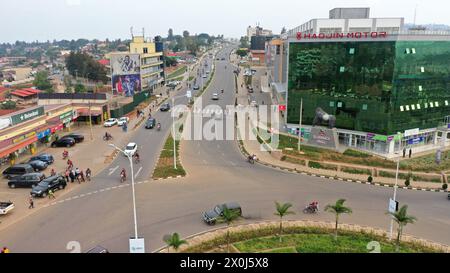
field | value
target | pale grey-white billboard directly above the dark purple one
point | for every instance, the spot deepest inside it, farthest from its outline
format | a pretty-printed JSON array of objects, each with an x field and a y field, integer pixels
[{"x": 125, "y": 64}]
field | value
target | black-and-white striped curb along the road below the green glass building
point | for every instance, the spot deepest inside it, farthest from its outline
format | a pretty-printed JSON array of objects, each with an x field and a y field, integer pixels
[{"x": 336, "y": 178}]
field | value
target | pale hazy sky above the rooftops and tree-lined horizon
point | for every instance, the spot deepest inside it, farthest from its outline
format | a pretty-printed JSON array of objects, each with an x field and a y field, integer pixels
[{"x": 42, "y": 20}]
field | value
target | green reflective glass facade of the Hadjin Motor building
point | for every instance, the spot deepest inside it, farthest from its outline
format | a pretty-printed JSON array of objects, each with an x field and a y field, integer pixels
[{"x": 378, "y": 87}]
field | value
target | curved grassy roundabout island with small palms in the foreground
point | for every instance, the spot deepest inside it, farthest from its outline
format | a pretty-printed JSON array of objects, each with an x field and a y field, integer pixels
[{"x": 305, "y": 240}]
